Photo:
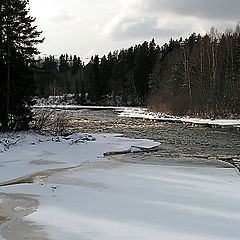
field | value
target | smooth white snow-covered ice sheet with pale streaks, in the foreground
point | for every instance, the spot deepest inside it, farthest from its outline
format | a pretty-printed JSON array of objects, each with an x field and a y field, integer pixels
[{"x": 139, "y": 202}]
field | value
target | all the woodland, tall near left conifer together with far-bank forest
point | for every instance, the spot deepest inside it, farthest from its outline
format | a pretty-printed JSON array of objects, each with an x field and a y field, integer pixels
[{"x": 196, "y": 76}]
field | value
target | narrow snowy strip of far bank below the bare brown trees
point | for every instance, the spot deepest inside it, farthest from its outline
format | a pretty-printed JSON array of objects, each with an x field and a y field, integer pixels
[{"x": 143, "y": 113}]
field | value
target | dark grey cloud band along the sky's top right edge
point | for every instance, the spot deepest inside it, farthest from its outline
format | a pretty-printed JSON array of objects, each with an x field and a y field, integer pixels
[{"x": 211, "y": 9}]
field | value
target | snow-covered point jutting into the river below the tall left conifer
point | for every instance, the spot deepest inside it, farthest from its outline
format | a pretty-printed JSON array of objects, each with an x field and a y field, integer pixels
[{"x": 71, "y": 151}]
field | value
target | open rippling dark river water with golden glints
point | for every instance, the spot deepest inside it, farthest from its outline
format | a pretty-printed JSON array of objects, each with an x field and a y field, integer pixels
[{"x": 179, "y": 143}]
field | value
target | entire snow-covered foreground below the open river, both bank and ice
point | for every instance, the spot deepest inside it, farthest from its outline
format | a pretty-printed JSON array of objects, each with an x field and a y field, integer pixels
[{"x": 108, "y": 200}]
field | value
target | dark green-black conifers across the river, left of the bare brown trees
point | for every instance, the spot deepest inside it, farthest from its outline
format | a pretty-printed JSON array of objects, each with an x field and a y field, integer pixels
[{"x": 120, "y": 78}]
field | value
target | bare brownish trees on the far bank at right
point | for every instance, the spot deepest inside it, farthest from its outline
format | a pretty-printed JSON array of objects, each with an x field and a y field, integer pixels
[{"x": 198, "y": 76}]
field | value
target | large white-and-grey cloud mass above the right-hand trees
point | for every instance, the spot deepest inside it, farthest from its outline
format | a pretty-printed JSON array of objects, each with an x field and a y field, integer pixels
[{"x": 141, "y": 19}]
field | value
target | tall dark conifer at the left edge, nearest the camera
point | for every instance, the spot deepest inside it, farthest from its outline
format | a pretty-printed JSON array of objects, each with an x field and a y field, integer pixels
[{"x": 18, "y": 39}]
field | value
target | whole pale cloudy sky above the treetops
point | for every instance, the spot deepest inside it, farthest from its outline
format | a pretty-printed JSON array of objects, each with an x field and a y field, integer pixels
[{"x": 94, "y": 27}]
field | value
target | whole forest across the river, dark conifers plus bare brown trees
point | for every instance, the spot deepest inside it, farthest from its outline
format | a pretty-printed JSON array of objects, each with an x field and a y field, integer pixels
[{"x": 196, "y": 76}]
